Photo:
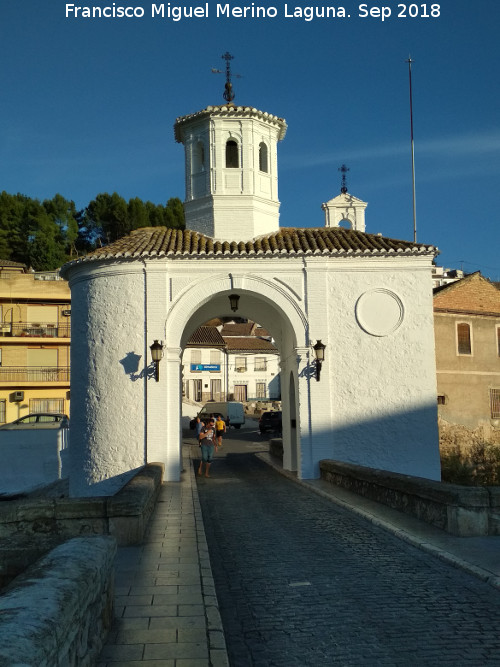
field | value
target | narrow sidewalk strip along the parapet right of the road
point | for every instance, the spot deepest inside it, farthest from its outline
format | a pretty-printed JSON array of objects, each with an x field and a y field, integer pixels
[{"x": 479, "y": 556}]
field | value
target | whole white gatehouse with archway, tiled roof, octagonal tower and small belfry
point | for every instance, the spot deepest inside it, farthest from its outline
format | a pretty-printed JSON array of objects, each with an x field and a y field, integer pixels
[{"x": 366, "y": 297}]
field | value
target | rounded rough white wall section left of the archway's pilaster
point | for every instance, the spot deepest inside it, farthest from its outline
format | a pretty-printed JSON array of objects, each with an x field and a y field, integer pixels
[{"x": 109, "y": 365}]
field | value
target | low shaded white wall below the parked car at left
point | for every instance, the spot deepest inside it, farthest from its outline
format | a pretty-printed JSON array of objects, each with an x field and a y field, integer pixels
[{"x": 32, "y": 457}]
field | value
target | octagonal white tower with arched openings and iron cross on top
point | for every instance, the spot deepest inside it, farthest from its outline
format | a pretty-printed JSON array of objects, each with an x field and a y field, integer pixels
[{"x": 231, "y": 168}]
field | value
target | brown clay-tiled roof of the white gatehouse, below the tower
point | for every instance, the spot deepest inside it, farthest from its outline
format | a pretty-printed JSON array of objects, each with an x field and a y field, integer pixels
[{"x": 286, "y": 242}]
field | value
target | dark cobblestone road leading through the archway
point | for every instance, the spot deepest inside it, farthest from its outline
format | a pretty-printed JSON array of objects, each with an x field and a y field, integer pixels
[{"x": 301, "y": 581}]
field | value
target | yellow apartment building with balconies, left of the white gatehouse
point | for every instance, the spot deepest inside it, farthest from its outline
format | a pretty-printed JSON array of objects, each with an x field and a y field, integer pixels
[{"x": 35, "y": 315}]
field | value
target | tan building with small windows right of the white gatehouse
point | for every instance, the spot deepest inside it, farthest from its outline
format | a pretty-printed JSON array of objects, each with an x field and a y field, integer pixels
[{"x": 467, "y": 334}]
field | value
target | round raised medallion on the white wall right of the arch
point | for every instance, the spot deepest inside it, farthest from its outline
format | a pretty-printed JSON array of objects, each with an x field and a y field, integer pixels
[{"x": 379, "y": 312}]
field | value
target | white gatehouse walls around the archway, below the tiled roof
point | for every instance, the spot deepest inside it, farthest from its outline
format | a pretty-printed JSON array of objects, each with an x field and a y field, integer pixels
[{"x": 375, "y": 403}]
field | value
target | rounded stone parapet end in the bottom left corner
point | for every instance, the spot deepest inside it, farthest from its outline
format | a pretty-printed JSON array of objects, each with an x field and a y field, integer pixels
[{"x": 59, "y": 611}]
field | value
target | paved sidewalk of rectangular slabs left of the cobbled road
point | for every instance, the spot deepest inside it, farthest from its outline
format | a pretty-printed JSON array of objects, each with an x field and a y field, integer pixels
[{"x": 166, "y": 612}]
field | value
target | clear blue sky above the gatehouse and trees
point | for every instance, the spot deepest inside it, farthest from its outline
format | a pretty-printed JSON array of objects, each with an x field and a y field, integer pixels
[{"x": 88, "y": 106}]
